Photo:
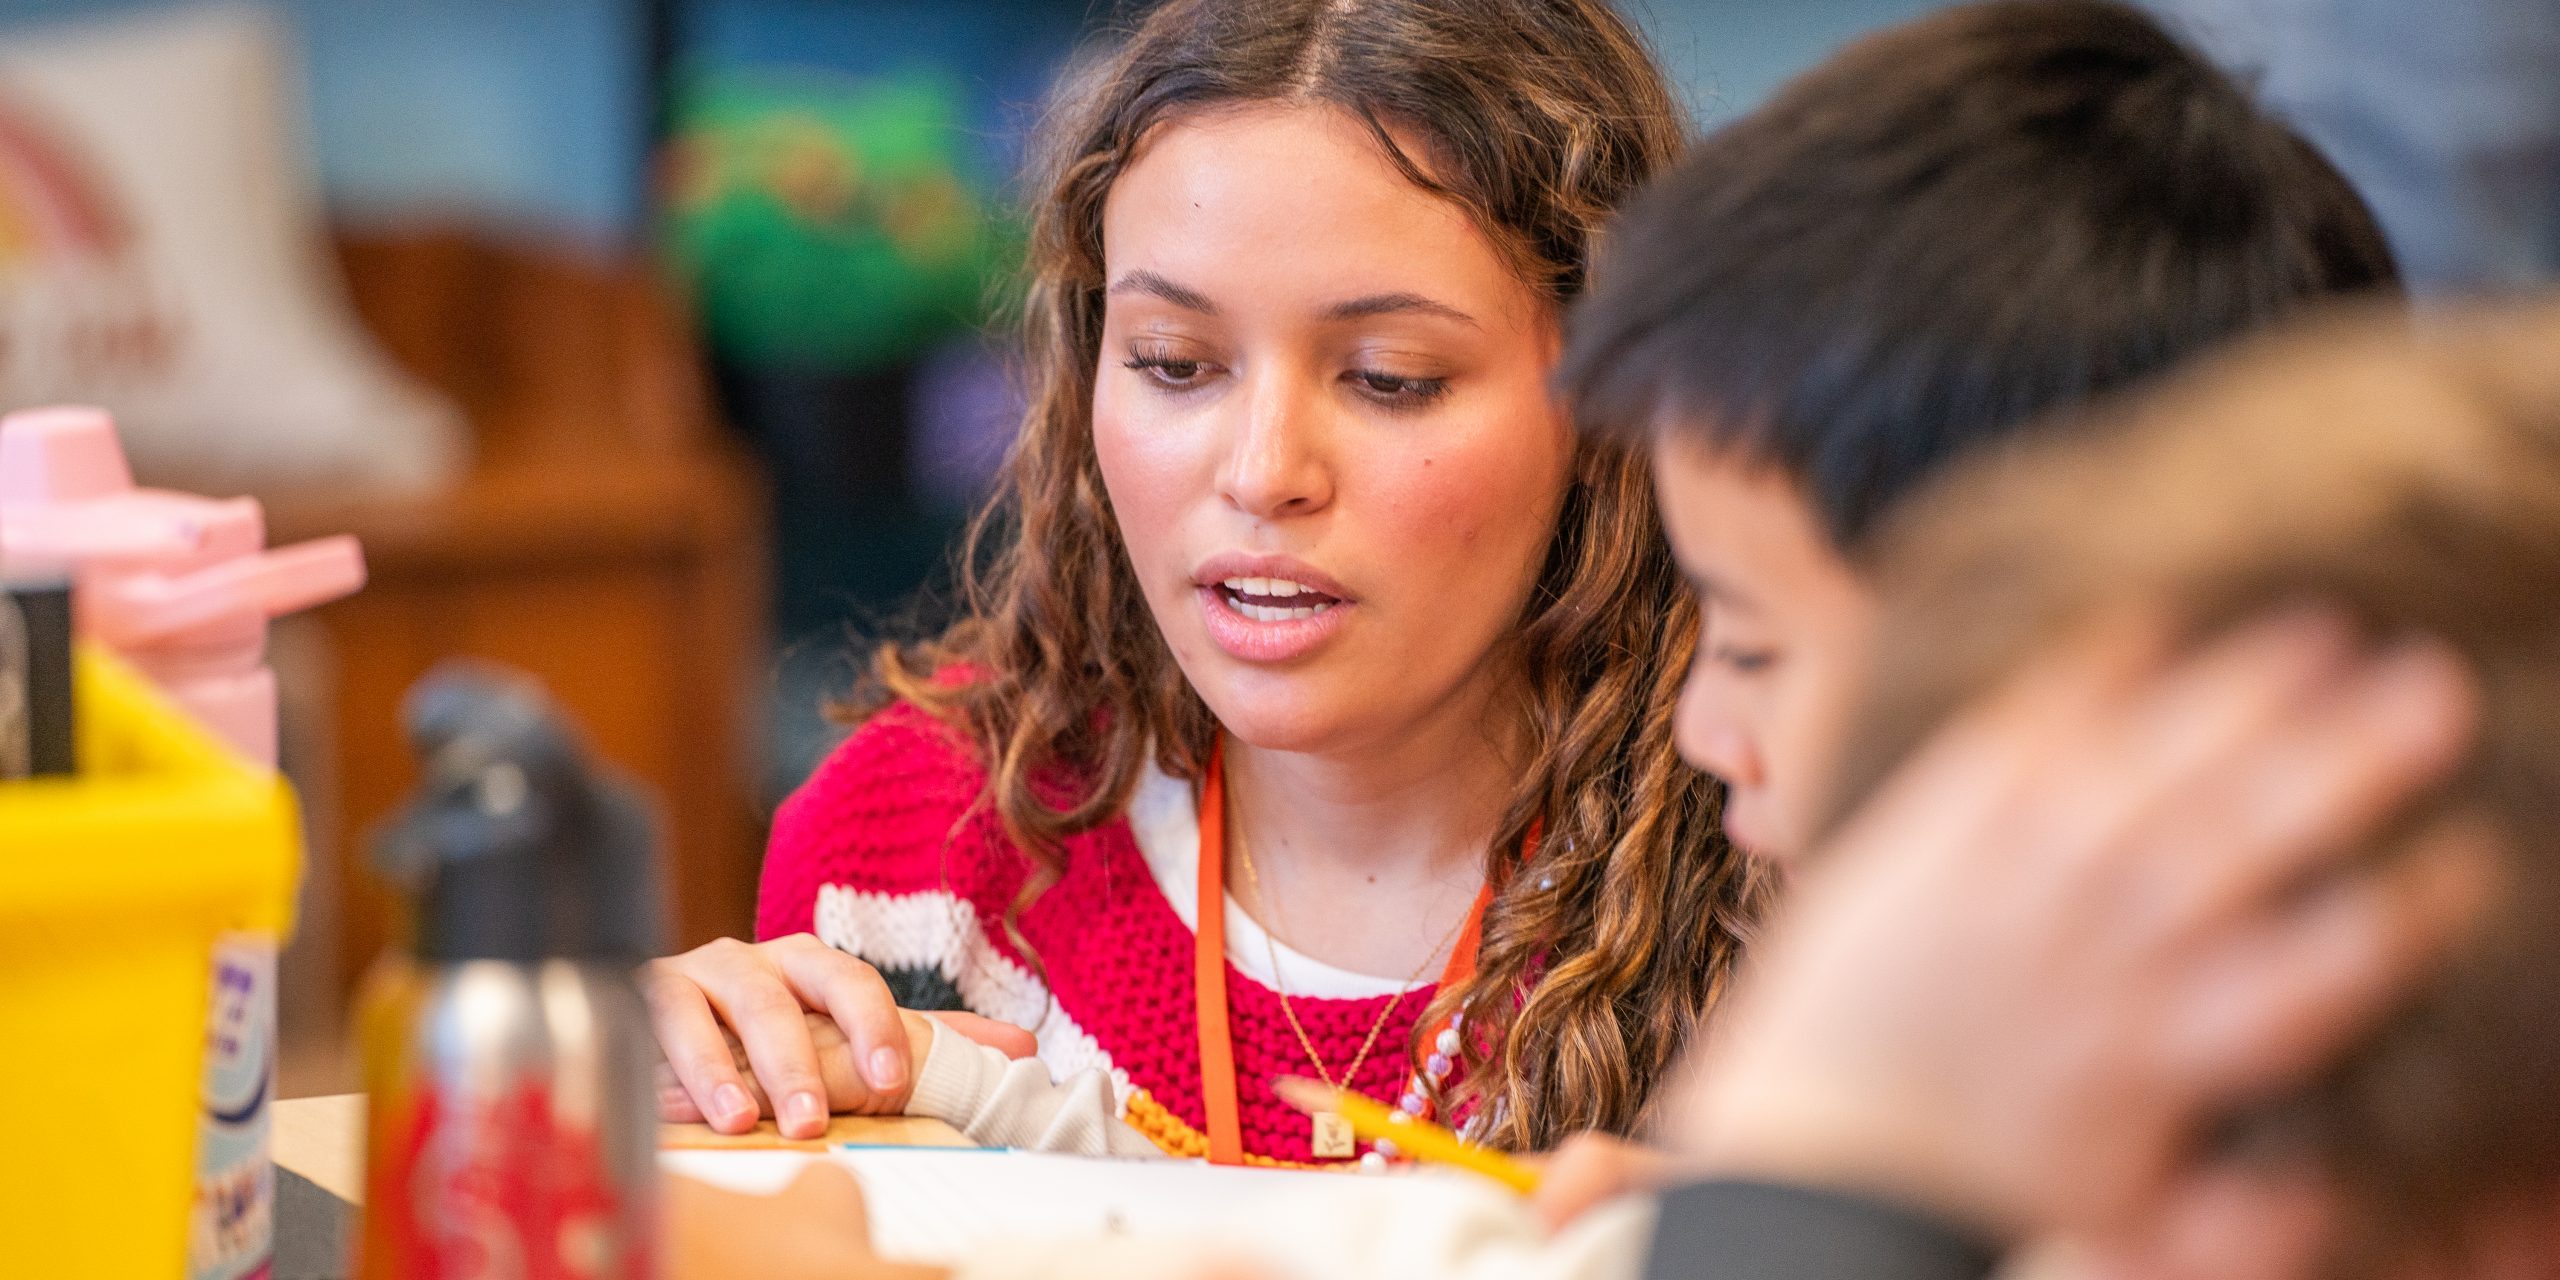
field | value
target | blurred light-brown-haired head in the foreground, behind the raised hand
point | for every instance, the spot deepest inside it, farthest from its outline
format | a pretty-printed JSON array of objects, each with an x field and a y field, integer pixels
[{"x": 2415, "y": 485}]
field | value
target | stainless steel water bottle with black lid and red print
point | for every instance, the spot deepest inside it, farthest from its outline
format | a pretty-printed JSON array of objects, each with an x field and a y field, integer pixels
[{"x": 511, "y": 1061}]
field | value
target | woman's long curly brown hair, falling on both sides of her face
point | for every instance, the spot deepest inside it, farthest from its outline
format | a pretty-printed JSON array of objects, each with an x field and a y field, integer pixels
[{"x": 1537, "y": 116}]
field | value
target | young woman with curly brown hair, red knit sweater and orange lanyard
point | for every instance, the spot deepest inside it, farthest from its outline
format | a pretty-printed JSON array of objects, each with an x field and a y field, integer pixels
[{"x": 1312, "y": 713}]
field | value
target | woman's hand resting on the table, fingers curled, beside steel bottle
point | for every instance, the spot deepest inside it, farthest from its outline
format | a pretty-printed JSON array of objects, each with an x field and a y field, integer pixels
[{"x": 792, "y": 1030}]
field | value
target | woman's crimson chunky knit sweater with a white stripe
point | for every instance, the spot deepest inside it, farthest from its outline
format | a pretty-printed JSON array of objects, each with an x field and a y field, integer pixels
[{"x": 887, "y": 856}]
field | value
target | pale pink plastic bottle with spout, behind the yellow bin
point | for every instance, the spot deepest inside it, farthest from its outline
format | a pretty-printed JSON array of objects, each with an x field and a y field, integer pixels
[{"x": 180, "y": 585}]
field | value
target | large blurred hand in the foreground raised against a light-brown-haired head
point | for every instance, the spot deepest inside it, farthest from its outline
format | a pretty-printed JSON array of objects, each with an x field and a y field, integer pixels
[{"x": 2090, "y": 918}]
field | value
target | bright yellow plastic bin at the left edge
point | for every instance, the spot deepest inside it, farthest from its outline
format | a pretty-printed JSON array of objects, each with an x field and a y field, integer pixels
[{"x": 114, "y": 887}]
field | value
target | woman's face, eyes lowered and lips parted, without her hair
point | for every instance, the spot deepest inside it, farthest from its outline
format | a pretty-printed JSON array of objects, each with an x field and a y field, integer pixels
[{"x": 1325, "y": 424}]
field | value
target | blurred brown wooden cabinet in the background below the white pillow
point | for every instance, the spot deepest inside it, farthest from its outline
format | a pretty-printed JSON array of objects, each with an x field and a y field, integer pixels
[{"x": 608, "y": 541}]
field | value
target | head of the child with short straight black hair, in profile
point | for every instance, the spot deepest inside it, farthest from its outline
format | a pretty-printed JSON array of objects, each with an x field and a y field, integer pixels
[{"x": 1906, "y": 257}]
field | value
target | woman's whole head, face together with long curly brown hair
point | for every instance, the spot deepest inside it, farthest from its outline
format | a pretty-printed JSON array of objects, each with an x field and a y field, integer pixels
[{"x": 1294, "y": 475}]
